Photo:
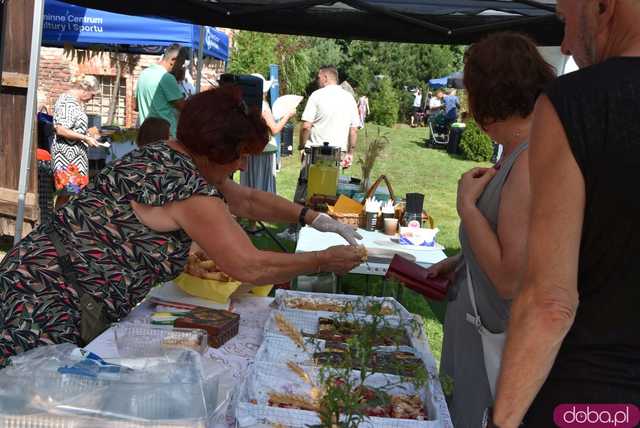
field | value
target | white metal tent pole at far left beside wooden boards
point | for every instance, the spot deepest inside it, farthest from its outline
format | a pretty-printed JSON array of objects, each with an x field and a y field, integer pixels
[{"x": 29, "y": 115}]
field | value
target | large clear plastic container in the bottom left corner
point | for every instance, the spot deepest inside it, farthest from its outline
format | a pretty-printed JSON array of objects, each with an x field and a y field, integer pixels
[{"x": 170, "y": 391}]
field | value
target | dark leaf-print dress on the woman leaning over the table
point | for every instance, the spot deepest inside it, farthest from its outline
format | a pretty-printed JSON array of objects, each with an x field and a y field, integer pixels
[{"x": 116, "y": 258}]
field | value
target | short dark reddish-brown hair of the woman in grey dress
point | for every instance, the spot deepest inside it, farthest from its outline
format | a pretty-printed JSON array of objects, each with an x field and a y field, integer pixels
[{"x": 504, "y": 74}]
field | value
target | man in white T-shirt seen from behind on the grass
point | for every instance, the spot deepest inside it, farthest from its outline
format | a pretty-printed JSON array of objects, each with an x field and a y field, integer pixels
[{"x": 331, "y": 115}]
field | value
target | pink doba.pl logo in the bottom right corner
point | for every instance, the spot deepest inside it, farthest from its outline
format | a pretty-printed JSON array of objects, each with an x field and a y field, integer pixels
[{"x": 597, "y": 415}]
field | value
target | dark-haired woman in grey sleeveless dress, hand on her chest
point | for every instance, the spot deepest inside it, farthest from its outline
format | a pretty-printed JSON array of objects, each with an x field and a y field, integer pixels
[{"x": 504, "y": 74}]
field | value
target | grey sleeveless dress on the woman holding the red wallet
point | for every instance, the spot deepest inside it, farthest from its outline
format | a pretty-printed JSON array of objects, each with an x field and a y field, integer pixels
[{"x": 462, "y": 359}]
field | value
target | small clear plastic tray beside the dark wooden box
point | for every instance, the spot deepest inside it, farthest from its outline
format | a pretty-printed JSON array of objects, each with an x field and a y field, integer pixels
[{"x": 144, "y": 340}]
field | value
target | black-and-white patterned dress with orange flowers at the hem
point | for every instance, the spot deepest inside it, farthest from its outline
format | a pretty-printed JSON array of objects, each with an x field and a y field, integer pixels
[{"x": 70, "y": 160}]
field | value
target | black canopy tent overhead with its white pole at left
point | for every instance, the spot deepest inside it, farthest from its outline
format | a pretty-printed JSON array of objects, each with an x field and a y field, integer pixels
[{"x": 428, "y": 21}]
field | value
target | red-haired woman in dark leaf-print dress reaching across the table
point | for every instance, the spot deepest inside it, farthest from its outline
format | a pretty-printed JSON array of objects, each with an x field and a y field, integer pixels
[{"x": 133, "y": 225}]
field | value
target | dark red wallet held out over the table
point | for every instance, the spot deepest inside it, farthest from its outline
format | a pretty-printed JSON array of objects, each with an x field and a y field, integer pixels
[{"x": 415, "y": 277}]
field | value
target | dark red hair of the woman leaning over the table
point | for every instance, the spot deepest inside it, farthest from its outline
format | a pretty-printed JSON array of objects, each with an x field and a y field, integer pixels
[{"x": 217, "y": 124}]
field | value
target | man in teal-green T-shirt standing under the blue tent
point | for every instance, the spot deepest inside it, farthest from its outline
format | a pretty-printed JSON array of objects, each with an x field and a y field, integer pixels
[{"x": 158, "y": 93}]
